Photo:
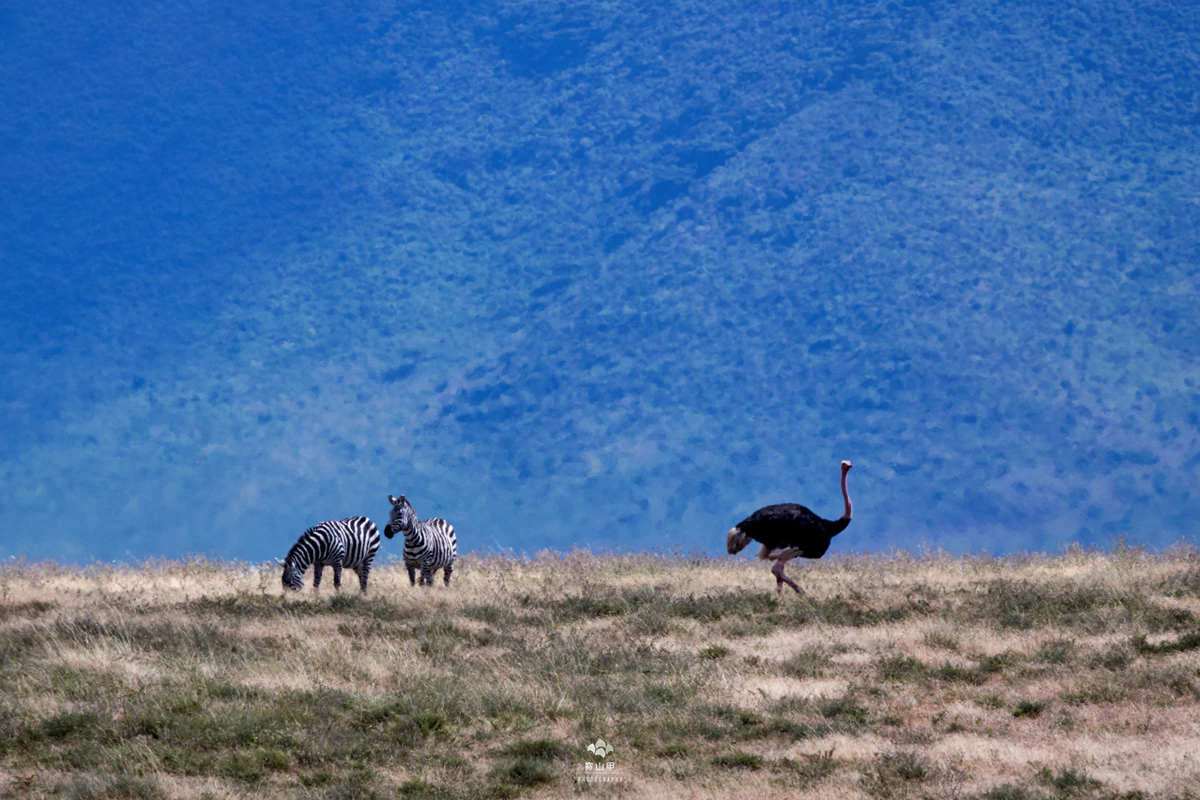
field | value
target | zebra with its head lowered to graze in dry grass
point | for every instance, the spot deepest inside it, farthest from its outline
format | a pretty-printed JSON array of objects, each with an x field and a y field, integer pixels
[{"x": 347, "y": 544}]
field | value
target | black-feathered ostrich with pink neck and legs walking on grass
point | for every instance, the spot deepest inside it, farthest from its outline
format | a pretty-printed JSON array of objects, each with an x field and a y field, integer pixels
[{"x": 789, "y": 531}]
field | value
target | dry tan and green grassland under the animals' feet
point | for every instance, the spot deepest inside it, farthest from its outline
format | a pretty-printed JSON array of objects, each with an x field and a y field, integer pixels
[{"x": 1024, "y": 678}]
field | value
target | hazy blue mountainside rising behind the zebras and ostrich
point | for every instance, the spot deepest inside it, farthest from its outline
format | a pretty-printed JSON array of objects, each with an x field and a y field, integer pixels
[{"x": 610, "y": 274}]
